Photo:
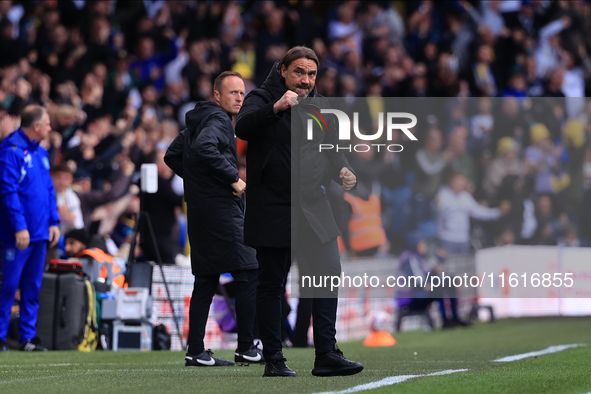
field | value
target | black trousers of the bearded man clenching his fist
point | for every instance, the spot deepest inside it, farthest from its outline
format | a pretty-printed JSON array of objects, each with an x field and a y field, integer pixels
[{"x": 274, "y": 264}]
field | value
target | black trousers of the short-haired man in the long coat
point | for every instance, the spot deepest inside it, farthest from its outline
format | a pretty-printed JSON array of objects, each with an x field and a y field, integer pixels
[{"x": 203, "y": 290}]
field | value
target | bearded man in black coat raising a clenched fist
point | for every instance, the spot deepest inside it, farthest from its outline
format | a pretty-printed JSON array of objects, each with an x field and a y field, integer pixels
[{"x": 287, "y": 207}]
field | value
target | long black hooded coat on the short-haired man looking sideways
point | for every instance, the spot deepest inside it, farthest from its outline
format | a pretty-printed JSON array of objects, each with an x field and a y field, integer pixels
[{"x": 204, "y": 155}]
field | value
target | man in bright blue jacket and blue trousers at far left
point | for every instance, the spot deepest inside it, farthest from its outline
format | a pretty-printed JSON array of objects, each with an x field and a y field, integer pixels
[{"x": 29, "y": 218}]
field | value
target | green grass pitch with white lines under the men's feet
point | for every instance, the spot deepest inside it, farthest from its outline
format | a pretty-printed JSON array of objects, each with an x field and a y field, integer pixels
[{"x": 472, "y": 348}]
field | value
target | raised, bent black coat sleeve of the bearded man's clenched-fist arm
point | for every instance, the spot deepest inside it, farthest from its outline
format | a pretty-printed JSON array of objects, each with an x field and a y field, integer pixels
[{"x": 255, "y": 116}]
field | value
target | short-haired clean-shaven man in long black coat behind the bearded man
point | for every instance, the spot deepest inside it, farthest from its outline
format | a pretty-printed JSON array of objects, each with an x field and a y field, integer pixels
[{"x": 204, "y": 155}]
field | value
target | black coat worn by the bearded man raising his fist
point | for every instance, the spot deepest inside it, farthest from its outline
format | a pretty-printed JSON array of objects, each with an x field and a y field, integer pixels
[{"x": 276, "y": 194}]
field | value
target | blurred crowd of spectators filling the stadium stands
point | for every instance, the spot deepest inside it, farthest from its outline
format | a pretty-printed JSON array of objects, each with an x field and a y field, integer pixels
[{"x": 117, "y": 78}]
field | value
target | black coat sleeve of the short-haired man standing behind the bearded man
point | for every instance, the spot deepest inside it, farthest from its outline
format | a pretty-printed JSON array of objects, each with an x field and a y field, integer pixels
[{"x": 207, "y": 151}]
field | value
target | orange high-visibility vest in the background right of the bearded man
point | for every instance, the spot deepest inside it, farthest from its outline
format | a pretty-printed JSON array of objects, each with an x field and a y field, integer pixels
[{"x": 365, "y": 227}]
